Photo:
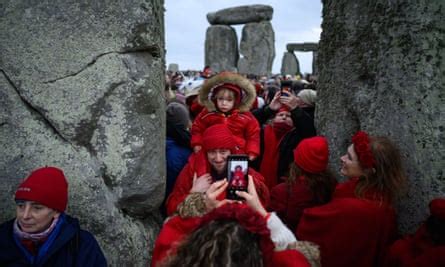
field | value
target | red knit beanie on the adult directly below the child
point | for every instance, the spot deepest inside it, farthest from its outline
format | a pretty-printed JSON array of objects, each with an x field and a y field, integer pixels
[{"x": 218, "y": 136}]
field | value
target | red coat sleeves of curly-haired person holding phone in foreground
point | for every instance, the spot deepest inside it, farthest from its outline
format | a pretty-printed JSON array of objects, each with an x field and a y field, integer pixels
[{"x": 177, "y": 228}]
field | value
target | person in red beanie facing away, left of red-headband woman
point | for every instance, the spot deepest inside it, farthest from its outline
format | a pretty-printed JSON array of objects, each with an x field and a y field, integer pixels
[{"x": 309, "y": 184}]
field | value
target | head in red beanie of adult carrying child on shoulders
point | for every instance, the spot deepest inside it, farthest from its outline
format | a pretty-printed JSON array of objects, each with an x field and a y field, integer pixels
[{"x": 218, "y": 143}]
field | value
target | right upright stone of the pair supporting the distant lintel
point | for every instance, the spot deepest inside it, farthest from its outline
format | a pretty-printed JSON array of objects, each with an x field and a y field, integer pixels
[{"x": 257, "y": 48}]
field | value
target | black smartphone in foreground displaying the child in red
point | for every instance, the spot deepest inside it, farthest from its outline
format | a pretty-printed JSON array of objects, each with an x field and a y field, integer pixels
[{"x": 237, "y": 168}]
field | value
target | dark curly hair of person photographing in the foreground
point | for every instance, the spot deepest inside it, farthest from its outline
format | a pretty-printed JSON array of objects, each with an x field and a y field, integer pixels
[{"x": 219, "y": 243}]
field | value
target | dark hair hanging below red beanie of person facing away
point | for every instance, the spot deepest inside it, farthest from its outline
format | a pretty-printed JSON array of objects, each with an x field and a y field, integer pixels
[{"x": 322, "y": 185}]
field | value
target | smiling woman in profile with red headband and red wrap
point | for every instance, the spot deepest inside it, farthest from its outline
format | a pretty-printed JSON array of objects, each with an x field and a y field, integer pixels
[{"x": 357, "y": 226}]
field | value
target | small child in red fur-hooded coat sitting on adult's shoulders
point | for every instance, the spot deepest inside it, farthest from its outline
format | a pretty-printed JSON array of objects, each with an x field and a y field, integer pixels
[{"x": 227, "y": 98}]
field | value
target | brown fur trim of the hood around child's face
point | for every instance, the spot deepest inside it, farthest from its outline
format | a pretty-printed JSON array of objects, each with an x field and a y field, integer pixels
[{"x": 249, "y": 93}]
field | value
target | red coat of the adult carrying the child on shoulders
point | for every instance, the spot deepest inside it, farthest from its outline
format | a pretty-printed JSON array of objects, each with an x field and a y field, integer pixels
[{"x": 199, "y": 164}]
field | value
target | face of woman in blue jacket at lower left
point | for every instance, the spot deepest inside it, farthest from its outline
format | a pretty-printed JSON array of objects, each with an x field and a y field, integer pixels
[{"x": 34, "y": 217}]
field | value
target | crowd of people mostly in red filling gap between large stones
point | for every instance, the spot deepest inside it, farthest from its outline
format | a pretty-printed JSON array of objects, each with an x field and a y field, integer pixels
[{"x": 295, "y": 212}]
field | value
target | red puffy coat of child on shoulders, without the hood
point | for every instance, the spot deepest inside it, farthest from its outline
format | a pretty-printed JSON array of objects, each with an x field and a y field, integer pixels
[{"x": 242, "y": 125}]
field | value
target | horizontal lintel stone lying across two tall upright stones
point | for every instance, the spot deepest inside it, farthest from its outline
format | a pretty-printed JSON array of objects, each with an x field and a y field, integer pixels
[{"x": 241, "y": 15}]
